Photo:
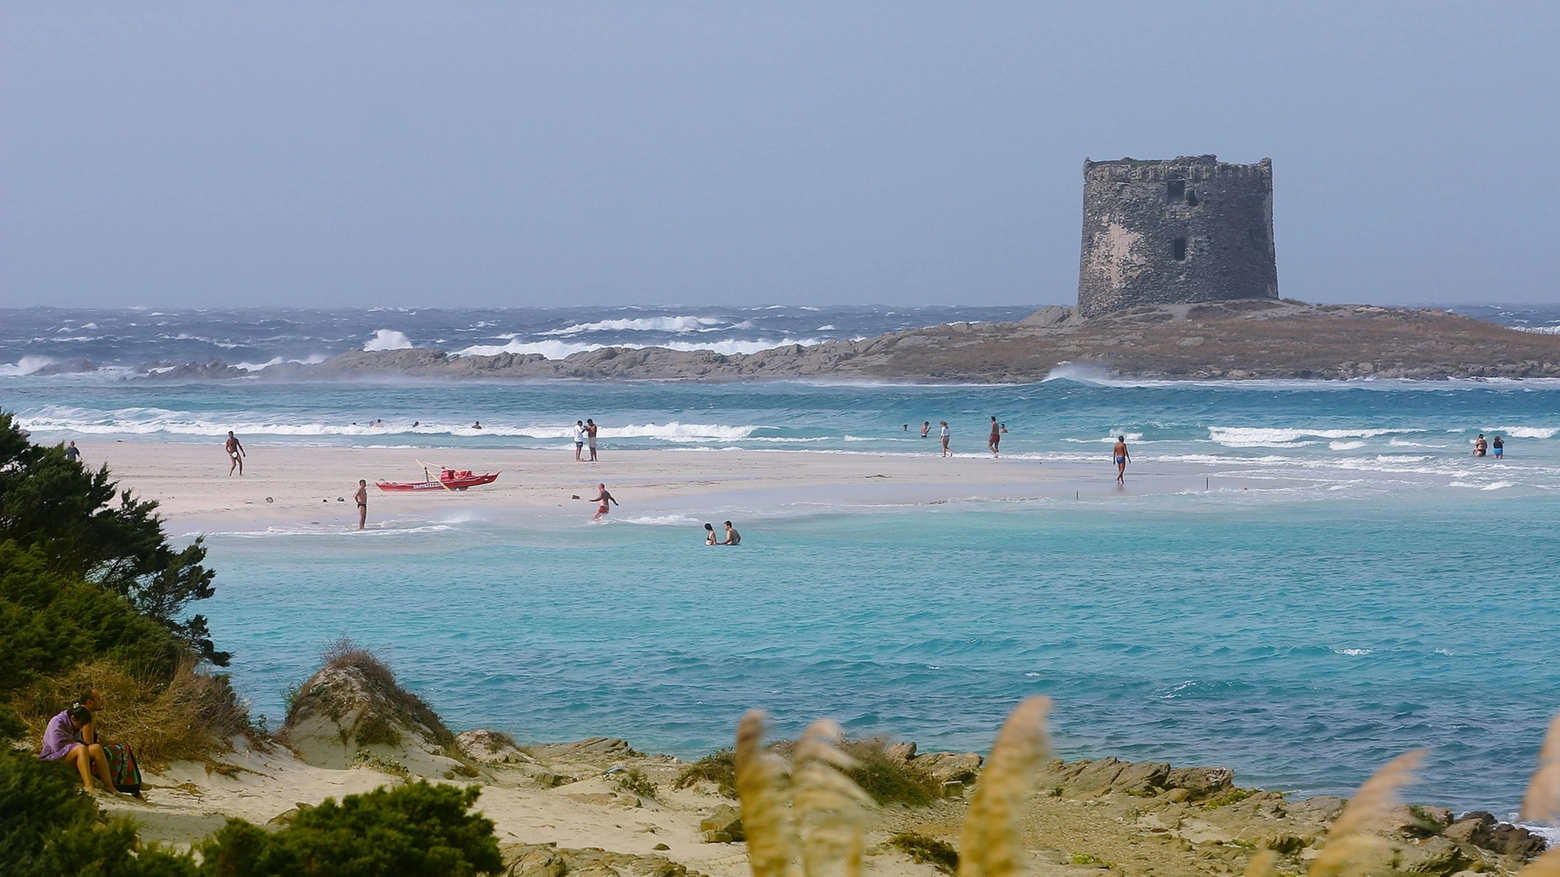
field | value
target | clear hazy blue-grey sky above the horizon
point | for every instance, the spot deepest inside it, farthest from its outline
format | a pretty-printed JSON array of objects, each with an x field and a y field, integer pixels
[{"x": 583, "y": 154}]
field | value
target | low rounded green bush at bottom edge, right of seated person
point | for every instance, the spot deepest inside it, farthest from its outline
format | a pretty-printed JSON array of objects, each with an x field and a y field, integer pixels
[{"x": 413, "y": 831}]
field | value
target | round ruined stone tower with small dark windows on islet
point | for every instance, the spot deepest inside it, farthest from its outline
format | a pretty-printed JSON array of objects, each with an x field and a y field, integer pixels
[{"x": 1175, "y": 232}]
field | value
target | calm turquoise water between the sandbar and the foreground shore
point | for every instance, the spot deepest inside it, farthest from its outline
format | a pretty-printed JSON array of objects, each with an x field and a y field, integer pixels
[{"x": 1299, "y": 642}]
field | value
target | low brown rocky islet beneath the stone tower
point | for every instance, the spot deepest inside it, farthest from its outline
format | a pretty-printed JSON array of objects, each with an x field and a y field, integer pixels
[{"x": 1224, "y": 341}]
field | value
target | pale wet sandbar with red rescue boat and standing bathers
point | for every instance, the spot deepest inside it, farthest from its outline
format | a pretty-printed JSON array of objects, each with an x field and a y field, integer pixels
[{"x": 297, "y": 485}]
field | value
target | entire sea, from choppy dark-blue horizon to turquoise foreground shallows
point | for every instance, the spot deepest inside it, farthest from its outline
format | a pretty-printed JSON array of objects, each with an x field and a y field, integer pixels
[{"x": 1336, "y": 581}]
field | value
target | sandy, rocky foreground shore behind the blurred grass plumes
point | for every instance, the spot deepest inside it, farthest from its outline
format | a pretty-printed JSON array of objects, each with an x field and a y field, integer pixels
[{"x": 601, "y": 809}]
